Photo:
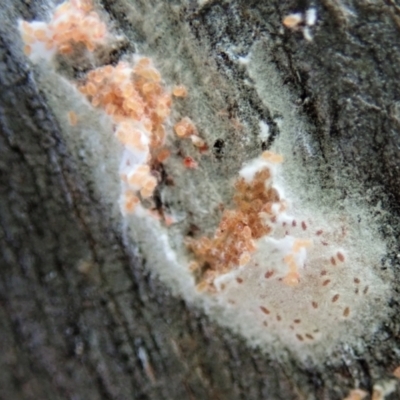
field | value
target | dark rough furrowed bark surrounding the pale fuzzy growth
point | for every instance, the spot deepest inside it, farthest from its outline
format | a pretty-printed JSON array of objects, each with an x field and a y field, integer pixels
[{"x": 80, "y": 316}]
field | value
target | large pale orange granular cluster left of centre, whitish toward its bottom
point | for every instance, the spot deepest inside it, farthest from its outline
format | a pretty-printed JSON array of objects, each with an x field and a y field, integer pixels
[{"x": 139, "y": 106}]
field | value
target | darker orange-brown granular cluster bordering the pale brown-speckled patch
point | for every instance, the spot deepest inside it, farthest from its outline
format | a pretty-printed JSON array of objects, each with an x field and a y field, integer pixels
[{"x": 233, "y": 241}]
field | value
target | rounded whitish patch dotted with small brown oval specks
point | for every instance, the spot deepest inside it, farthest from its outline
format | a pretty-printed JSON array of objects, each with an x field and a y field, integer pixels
[{"x": 305, "y": 281}]
